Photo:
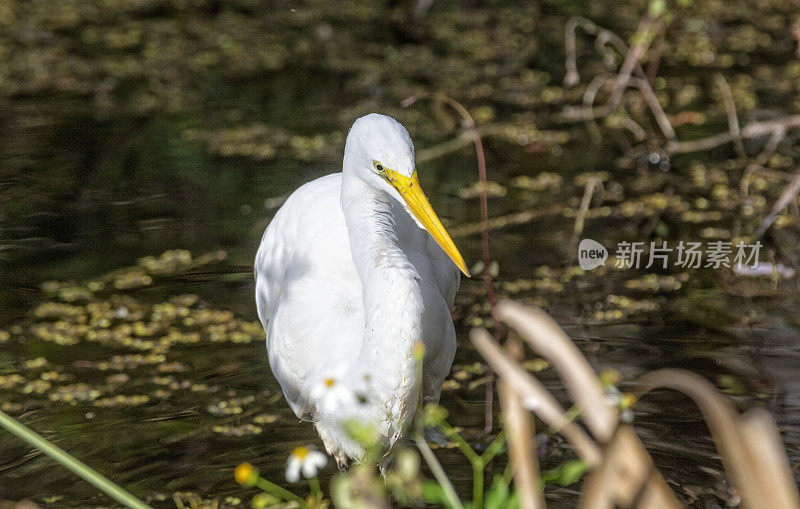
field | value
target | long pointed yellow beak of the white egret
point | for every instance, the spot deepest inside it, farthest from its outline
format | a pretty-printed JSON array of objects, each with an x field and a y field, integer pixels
[{"x": 418, "y": 204}]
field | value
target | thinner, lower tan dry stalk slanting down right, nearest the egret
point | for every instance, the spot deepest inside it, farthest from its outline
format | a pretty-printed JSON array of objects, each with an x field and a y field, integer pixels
[{"x": 533, "y": 392}]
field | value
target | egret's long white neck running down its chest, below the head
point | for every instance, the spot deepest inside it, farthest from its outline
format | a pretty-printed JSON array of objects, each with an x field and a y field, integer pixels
[{"x": 391, "y": 294}]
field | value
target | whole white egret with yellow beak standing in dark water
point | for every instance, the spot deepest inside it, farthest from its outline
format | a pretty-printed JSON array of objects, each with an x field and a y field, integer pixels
[{"x": 353, "y": 271}]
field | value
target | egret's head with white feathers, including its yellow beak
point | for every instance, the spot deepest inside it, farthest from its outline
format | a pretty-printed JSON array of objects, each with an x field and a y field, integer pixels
[{"x": 379, "y": 150}]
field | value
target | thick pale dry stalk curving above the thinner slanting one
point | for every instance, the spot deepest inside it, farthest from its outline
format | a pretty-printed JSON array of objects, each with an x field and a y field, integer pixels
[{"x": 545, "y": 337}]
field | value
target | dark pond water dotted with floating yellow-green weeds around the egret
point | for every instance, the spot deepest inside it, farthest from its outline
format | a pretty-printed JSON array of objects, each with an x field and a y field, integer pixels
[{"x": 127, "y": 142}]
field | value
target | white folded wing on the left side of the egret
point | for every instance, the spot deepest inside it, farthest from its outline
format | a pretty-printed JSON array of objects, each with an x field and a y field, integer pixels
[{"x": 306, "y": 288}]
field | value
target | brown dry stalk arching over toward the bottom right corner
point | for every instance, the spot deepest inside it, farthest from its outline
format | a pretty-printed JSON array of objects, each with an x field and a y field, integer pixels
[{"x": 723, "y": 422}]
